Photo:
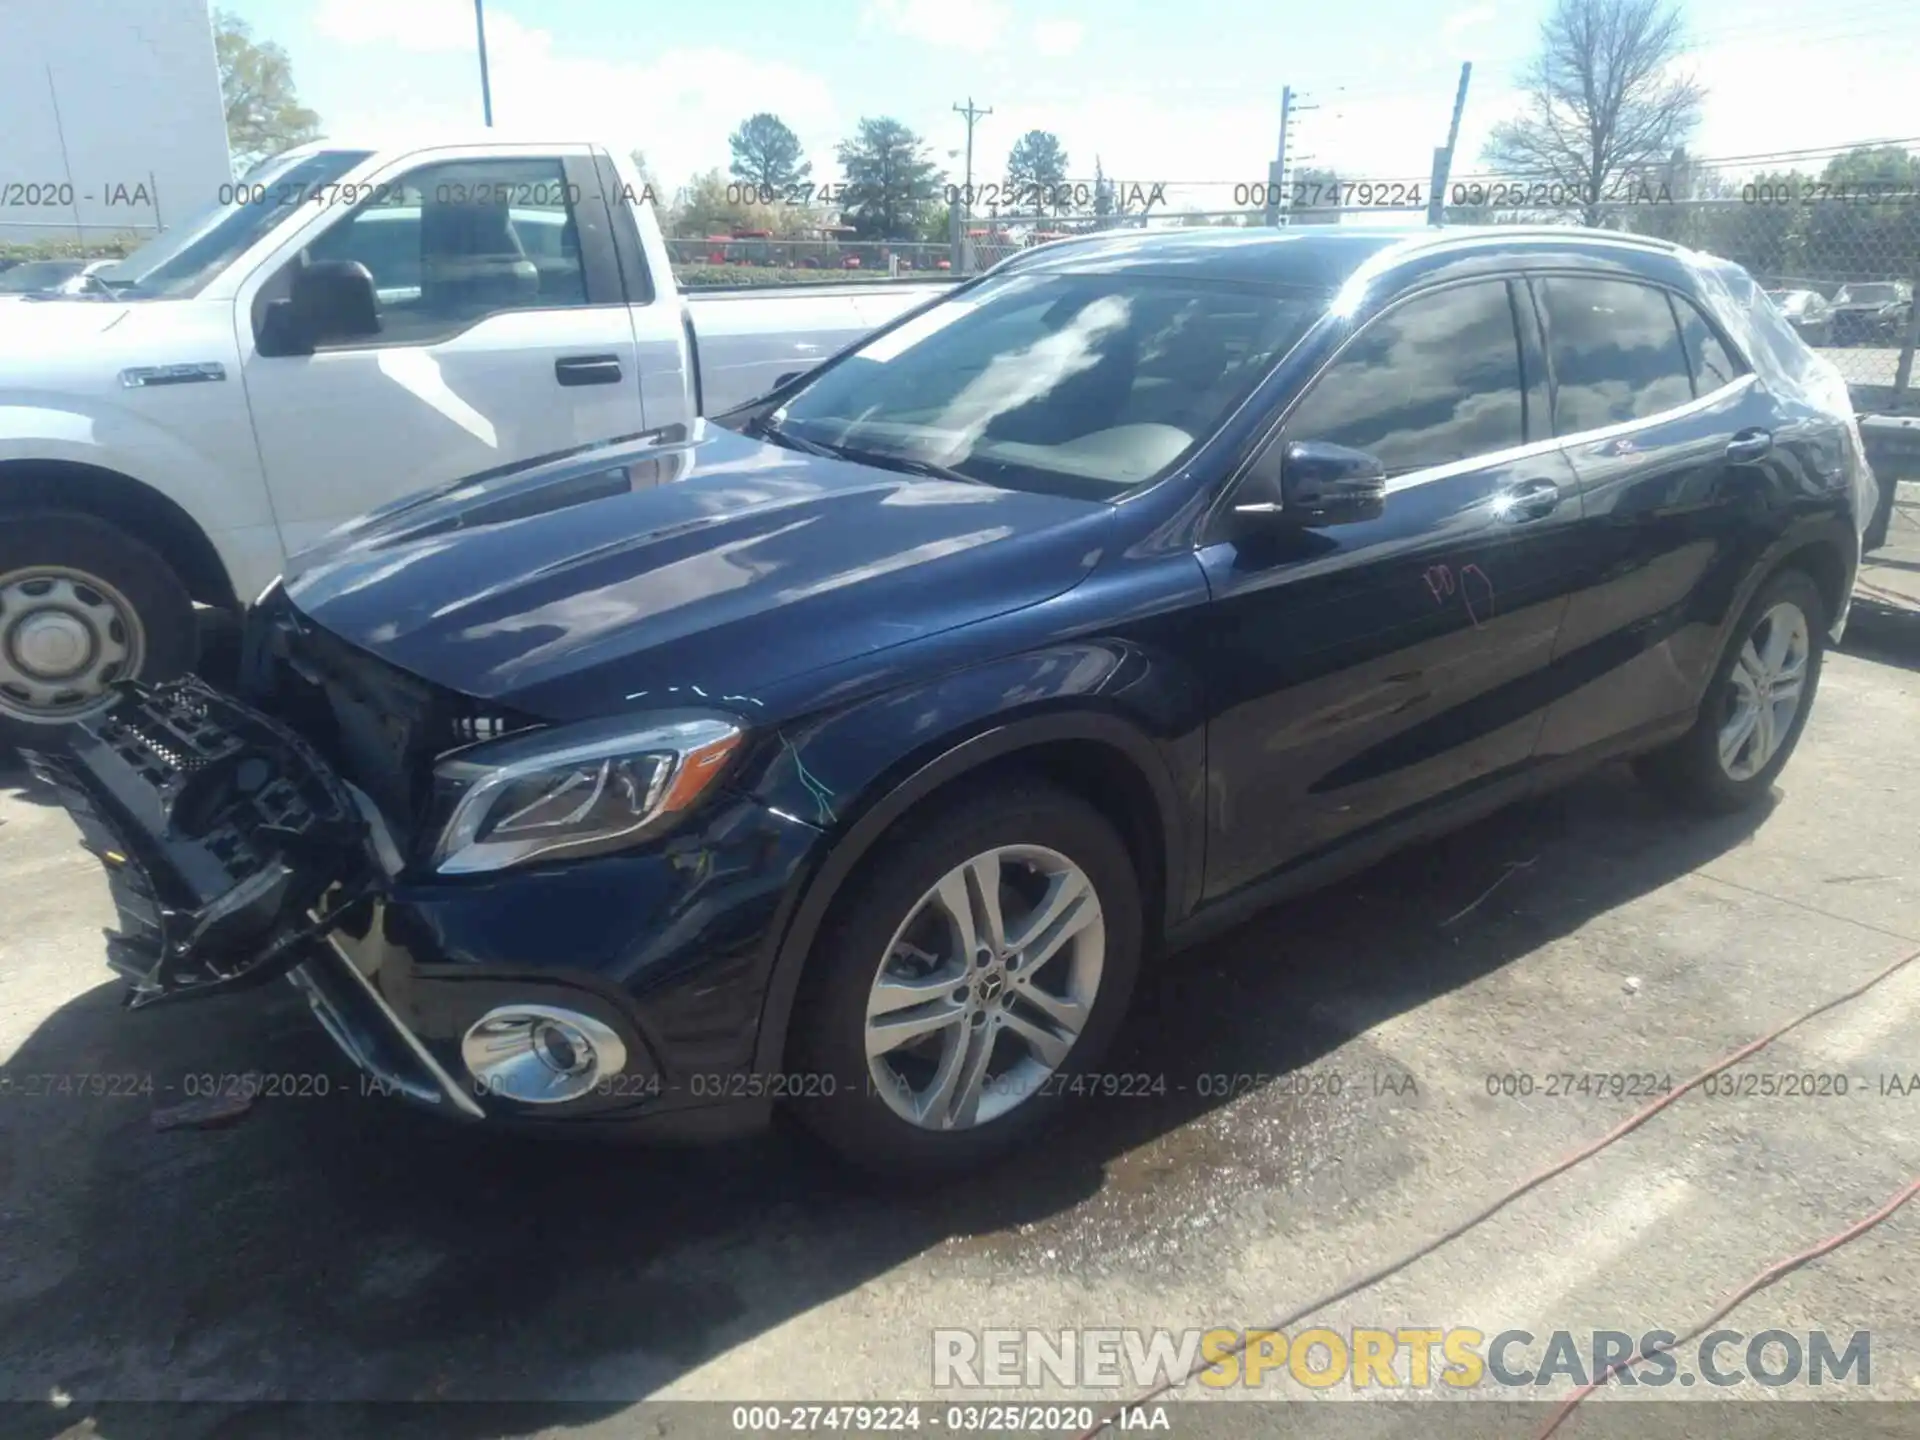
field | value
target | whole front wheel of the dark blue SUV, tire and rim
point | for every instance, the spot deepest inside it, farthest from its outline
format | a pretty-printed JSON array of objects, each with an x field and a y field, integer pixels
[{"x": 965, "y": 980}]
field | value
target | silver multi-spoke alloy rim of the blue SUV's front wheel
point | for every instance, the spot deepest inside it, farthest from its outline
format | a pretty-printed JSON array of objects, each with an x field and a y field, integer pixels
[{"x": 986, "y": 988}]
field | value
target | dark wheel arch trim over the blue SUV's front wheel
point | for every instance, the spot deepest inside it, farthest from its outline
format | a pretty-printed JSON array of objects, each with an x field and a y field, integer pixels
[{"x": 1099, "y": 757}]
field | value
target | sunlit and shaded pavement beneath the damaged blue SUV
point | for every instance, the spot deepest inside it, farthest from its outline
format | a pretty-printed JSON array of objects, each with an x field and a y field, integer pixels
[{"x": 1341, "y": 1082}]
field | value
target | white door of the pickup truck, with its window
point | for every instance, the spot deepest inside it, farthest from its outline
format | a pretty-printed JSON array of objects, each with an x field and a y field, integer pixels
[{"x": 504, "y": 335}]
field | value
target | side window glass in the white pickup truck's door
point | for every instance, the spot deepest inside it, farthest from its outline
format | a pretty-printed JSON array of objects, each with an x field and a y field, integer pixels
[{"x": 454, "y": 243}]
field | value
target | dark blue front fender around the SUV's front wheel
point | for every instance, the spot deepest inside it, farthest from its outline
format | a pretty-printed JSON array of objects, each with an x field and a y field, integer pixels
[{"x": 857, "y": 771}]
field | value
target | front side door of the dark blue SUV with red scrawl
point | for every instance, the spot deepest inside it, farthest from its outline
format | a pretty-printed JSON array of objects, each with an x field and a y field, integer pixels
[{"x": 1366, "y": 671}]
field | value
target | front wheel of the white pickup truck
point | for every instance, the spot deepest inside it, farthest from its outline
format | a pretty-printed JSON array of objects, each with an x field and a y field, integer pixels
[{"x": 82, "y": 606}]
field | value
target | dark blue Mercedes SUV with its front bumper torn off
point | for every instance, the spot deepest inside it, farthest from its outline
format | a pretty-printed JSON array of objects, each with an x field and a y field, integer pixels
[{"x": 853, "y": 750}]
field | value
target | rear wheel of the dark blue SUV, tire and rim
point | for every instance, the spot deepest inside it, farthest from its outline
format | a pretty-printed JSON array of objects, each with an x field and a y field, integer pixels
[{"x": 1756, "y": 706}]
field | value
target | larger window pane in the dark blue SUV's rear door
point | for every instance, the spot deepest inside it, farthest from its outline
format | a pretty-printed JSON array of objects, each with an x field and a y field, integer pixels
[{"x": 1616, "y": 352}]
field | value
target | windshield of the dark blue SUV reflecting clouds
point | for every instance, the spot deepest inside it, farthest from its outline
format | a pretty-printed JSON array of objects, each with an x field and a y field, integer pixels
[{"x": 1082, "y": 385}]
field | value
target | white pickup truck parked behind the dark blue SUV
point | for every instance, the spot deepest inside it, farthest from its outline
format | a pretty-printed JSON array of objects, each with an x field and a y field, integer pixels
[{"x": 347, "y": 327}]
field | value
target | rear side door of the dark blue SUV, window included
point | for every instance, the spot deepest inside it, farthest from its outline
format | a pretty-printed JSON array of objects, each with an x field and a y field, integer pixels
[{"x": 1673, "y": 444}]
